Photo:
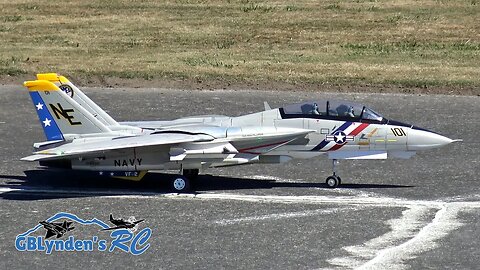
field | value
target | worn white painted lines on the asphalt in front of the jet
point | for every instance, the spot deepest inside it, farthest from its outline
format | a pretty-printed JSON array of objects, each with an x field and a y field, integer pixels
[{"x": 410, "y": 235}]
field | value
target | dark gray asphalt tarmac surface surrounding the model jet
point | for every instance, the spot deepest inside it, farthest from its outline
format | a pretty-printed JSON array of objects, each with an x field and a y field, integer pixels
[{"x": 396, "y": 214}]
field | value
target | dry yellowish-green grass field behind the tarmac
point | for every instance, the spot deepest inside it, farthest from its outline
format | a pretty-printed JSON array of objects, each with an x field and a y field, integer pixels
[{"x": 411, "y": 43}]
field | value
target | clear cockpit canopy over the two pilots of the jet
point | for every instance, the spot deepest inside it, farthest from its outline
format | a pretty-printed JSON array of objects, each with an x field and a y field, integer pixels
[{"x": 340, "y": 109}]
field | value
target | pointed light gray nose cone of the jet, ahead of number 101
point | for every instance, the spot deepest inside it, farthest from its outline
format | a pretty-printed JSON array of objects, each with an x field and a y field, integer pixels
[{"x": 423, "y": 139}]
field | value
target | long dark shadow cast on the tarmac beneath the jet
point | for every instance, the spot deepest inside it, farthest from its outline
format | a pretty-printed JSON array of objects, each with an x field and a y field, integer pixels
[{"x": 42, "y": 184}]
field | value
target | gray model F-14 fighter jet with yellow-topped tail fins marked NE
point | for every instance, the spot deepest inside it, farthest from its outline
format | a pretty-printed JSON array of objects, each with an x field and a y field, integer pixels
[{"x": 82, "y": 136}]
